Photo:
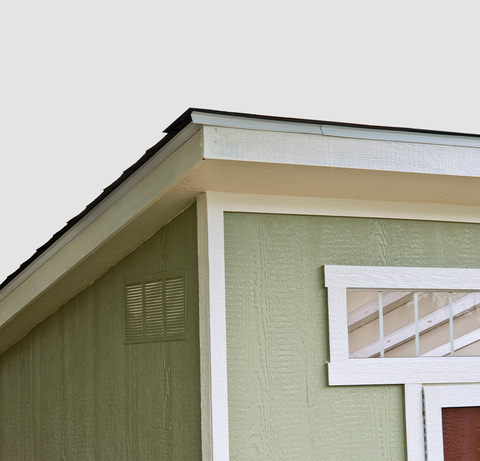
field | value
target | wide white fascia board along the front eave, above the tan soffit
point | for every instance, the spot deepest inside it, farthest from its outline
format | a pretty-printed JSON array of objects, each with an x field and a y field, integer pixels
[{"x": 307, "y": 149}]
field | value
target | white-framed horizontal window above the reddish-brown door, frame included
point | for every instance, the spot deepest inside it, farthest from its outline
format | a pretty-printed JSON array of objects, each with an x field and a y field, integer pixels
[{"x": 402, "y": 324}]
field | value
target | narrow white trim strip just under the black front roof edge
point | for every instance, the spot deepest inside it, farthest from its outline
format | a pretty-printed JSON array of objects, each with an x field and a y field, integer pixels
[{"x": 386, "y": 134}]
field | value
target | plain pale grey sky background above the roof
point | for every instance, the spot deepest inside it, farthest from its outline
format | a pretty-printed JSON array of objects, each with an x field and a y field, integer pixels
[{"x": 88, "y": 86}]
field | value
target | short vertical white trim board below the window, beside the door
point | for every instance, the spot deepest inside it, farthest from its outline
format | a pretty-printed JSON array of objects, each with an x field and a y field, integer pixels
[{"x": 414, "y": 422}]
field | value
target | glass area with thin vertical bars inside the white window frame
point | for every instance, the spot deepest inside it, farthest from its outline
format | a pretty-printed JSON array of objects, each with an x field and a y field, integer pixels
[{"x": 415, "y": 324}]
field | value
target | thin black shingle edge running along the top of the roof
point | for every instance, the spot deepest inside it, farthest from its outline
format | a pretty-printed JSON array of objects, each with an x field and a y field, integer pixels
[{"x": 171, "y": 131}]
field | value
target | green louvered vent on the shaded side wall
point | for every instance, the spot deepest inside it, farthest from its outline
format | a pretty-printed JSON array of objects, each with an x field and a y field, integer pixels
[{"x": 155, "y": 308}]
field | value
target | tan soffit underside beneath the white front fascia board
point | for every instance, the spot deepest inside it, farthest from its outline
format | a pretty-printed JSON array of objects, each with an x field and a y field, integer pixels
[{"x": 345, "y": 183}]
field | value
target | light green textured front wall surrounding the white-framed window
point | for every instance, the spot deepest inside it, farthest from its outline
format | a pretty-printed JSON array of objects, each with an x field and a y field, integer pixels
[{"x": 280, "y": 407}]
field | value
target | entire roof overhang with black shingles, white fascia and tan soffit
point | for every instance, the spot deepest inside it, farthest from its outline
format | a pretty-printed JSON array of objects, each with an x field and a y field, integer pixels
[{"x": 214, "y": 151}]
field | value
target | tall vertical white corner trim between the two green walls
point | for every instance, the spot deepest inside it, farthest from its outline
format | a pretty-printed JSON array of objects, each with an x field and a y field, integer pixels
[{"x": 213, "y": 334}]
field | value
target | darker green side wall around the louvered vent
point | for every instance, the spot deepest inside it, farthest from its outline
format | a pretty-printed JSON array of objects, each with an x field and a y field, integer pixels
[{"x": 72, "y": 390}]
